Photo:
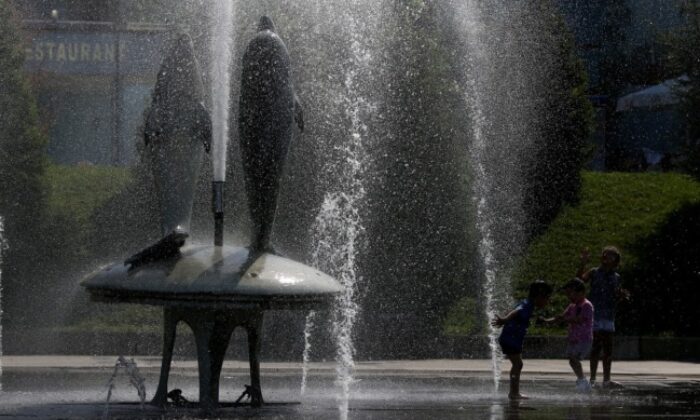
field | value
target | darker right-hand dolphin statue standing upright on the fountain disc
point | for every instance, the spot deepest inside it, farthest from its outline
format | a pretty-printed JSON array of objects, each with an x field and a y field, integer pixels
[{"x": 268, "y": 109}]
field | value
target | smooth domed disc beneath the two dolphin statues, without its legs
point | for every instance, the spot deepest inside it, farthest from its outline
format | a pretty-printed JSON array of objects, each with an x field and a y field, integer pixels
[{"x": 203, "y": 275}]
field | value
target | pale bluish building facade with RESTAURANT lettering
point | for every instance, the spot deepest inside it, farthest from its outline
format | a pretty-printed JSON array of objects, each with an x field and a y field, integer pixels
[{"x": 92, "y": 74}]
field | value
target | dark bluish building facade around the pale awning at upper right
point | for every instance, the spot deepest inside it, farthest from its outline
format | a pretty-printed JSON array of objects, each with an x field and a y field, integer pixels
[{"x": 622, "y": 45}]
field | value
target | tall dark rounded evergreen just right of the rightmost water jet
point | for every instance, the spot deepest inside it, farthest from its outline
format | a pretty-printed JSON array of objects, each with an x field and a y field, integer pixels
[{"x": 564, "y": 118}]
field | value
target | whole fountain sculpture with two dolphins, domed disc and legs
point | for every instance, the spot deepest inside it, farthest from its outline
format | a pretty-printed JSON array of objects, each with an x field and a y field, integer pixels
[{"x": 215, "y": 288}]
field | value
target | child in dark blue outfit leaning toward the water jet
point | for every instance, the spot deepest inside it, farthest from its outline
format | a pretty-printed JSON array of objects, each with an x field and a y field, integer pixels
[{"x": 515, "y": 326}]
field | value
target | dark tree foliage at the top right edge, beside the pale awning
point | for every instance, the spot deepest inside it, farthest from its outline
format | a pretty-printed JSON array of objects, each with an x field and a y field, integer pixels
[{"x": 684, "y": 60}]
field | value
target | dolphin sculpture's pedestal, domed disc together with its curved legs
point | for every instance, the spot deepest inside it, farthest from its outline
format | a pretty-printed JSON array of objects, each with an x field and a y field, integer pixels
[{"x": 214, "y": 290}]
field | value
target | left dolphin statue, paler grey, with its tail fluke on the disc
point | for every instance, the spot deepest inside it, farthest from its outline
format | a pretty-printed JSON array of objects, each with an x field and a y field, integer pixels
[{"x": 177, "y": 133}]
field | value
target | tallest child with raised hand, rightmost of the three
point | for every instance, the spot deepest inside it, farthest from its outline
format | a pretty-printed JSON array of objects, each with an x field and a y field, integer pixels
[{"x": 605, "y": 292}]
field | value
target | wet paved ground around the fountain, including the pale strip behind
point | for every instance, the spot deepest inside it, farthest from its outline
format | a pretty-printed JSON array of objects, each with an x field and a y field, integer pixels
[{"x": 74, "y": 387}]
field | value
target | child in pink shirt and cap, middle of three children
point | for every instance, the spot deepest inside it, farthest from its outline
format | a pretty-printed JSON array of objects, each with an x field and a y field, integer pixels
[{"x": 579, "y": 316}]
